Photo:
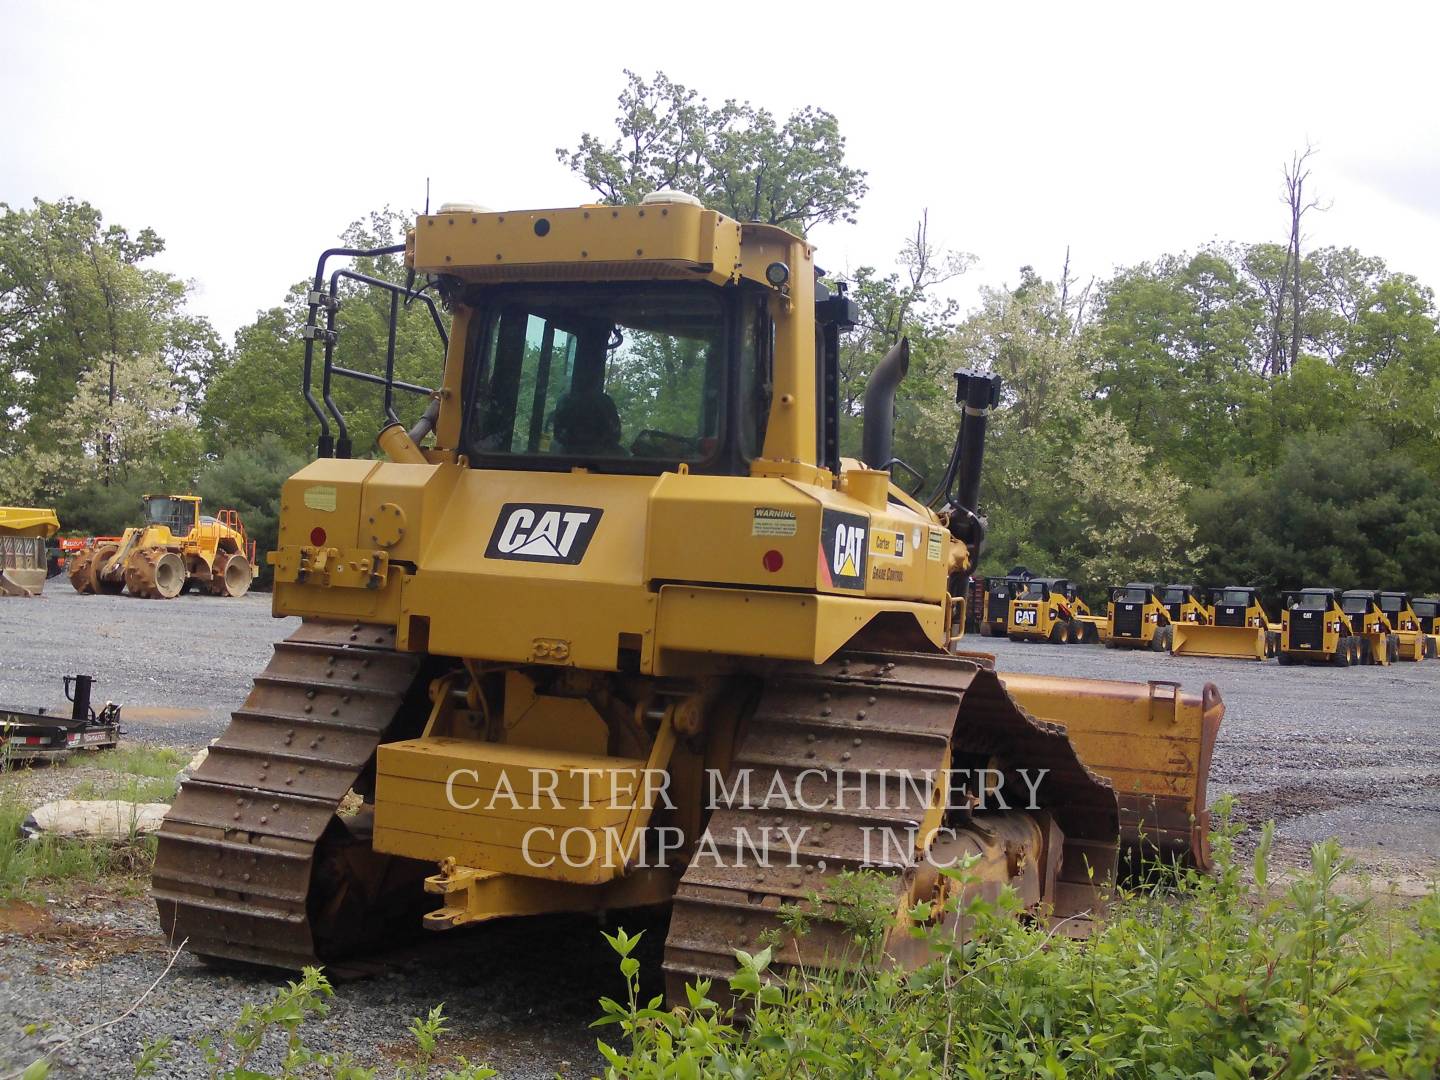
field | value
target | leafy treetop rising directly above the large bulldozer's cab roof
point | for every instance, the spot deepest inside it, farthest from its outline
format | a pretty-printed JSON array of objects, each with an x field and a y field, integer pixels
[{"x": 735, "y": 158}]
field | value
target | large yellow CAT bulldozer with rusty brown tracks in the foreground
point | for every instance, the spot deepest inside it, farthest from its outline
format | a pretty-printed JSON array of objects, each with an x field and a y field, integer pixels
[{"x": 614, "y": 623}]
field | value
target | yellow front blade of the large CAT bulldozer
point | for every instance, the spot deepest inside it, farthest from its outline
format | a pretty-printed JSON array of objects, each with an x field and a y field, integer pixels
[{"x": 1151, "y": 741}]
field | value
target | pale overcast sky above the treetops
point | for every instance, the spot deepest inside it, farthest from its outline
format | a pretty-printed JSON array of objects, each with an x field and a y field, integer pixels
[{"x": 251, "y": 135}]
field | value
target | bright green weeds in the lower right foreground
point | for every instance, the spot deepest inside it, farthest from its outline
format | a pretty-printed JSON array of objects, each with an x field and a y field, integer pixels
[{"x": 1220, "y": 976}]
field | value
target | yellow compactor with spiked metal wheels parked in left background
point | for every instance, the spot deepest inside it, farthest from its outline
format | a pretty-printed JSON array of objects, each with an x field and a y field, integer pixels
[{"x": 175, "y": 551}]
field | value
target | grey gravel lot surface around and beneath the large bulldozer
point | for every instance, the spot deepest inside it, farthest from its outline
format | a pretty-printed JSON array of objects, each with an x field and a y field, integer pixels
[{"x": 1326, "y": 752}]
